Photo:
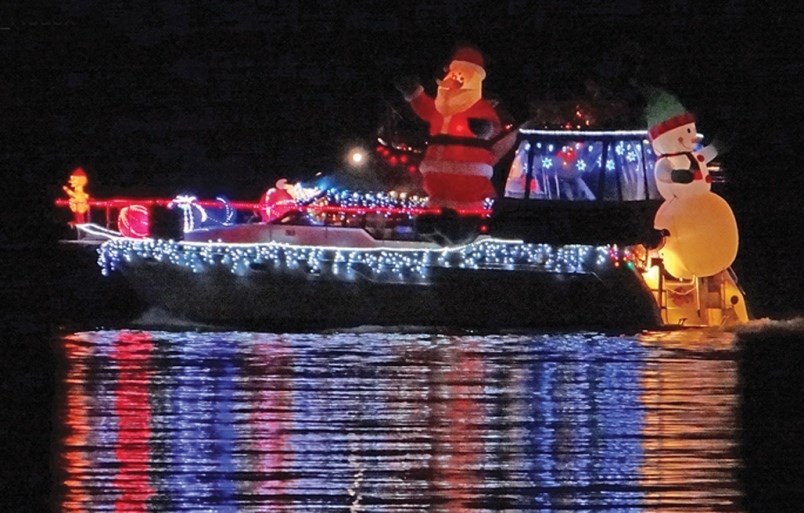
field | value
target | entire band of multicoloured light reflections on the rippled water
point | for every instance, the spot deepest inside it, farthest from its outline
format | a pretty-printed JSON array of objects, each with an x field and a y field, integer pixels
[{"x": 157, "y": 421}]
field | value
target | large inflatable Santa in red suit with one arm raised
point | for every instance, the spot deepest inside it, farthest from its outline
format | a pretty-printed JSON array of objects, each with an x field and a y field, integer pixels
[{"x": 457, "y": 166}]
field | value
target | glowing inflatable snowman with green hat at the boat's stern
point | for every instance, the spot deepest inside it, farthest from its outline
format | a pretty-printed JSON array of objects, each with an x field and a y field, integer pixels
[{"x": 702, "y": 235}]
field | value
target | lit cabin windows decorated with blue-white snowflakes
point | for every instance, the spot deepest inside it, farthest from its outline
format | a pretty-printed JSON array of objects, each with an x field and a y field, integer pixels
[{"x": 582, "y": 166}]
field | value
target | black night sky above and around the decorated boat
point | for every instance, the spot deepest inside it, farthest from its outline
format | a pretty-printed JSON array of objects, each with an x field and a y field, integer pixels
[{"x": 225, "y": 97}]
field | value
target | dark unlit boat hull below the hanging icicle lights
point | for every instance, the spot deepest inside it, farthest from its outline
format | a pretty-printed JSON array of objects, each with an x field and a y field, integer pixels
[{"x": 453, "y": 297}]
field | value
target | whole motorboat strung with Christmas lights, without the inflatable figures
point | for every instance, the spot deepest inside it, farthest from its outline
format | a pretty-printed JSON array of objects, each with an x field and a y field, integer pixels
[{"x": 570, "y": 243}]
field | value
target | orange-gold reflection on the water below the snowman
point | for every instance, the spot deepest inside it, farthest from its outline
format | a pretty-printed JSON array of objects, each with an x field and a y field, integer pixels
[{"x": 690, "y": 431}]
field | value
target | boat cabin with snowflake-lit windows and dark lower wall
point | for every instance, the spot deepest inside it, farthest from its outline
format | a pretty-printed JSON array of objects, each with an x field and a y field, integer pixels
[{"x": 584, "y": 187}]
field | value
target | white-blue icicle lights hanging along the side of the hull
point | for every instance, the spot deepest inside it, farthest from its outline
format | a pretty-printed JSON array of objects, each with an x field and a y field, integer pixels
[{"x": 378, "y": 264}]
